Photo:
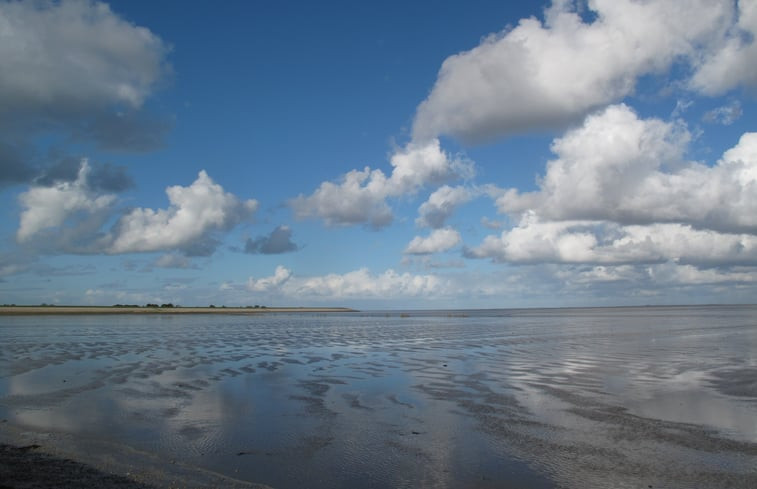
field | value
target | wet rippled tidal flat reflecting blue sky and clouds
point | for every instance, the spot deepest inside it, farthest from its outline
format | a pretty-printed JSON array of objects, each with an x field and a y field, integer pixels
[{"x": 621, "y": 397}]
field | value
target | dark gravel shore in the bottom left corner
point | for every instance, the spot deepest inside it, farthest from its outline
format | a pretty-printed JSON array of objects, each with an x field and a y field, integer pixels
[{"x": 26, "y": 468}]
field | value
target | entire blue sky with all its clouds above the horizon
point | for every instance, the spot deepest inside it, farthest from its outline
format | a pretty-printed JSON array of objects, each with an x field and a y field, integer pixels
[{"x": 449, "y": 154}]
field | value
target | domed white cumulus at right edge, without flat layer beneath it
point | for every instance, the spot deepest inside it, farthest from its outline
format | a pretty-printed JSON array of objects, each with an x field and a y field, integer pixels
[{"x": 620, "y": 168}]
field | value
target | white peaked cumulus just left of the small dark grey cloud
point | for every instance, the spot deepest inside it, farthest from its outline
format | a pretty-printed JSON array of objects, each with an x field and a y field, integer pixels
[{"x": 195, "y": 211}]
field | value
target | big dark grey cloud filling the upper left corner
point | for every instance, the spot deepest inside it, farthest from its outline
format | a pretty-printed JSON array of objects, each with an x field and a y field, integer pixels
[{"x": 76, "y": 69}]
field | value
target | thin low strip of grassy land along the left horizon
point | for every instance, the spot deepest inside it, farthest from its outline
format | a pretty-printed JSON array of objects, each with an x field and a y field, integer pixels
[{"x": 86, "y": 310}]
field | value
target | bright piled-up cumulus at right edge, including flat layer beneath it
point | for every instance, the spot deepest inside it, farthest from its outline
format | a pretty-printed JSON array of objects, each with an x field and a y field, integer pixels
[{"x": 620, "y": 192}]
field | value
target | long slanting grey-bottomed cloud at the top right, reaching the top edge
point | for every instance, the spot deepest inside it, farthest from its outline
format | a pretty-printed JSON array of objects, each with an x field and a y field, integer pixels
[{"x": 542, "y": 74}]
